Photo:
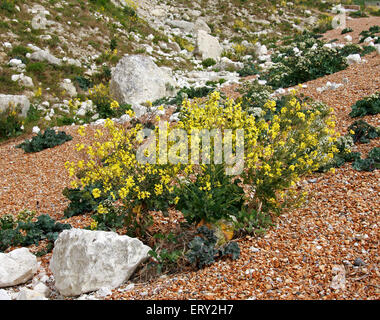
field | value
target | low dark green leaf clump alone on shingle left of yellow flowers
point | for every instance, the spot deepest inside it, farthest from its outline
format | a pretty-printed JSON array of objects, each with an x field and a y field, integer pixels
[{"x": 49, "y": 139}]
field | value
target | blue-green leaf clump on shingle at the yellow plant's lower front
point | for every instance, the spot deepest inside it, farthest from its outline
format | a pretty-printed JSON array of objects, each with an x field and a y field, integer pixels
[{"x": 203, "y": 251}]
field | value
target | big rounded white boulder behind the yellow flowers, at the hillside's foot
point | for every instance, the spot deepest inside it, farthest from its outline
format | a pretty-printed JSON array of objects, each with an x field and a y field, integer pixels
[{"x": 137, "y": 79}]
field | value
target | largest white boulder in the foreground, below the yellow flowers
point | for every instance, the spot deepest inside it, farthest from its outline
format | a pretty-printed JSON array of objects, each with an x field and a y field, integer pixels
[{"x": 85, "y": 260}]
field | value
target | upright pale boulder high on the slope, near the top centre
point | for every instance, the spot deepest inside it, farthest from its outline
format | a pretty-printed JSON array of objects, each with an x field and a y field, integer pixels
[{"x": 207, "y": 46}]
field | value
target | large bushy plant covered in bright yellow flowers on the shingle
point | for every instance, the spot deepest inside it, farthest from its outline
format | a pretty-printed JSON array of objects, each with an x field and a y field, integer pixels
[{"x": 264, "y": 156}]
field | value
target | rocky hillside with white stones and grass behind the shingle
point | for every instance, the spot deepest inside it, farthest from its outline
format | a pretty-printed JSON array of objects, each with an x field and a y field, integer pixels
[{"x": 57, "y": 50}]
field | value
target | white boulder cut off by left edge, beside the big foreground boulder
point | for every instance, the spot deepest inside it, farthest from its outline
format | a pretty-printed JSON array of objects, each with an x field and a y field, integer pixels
[{"x": 16, "y": 267}]
